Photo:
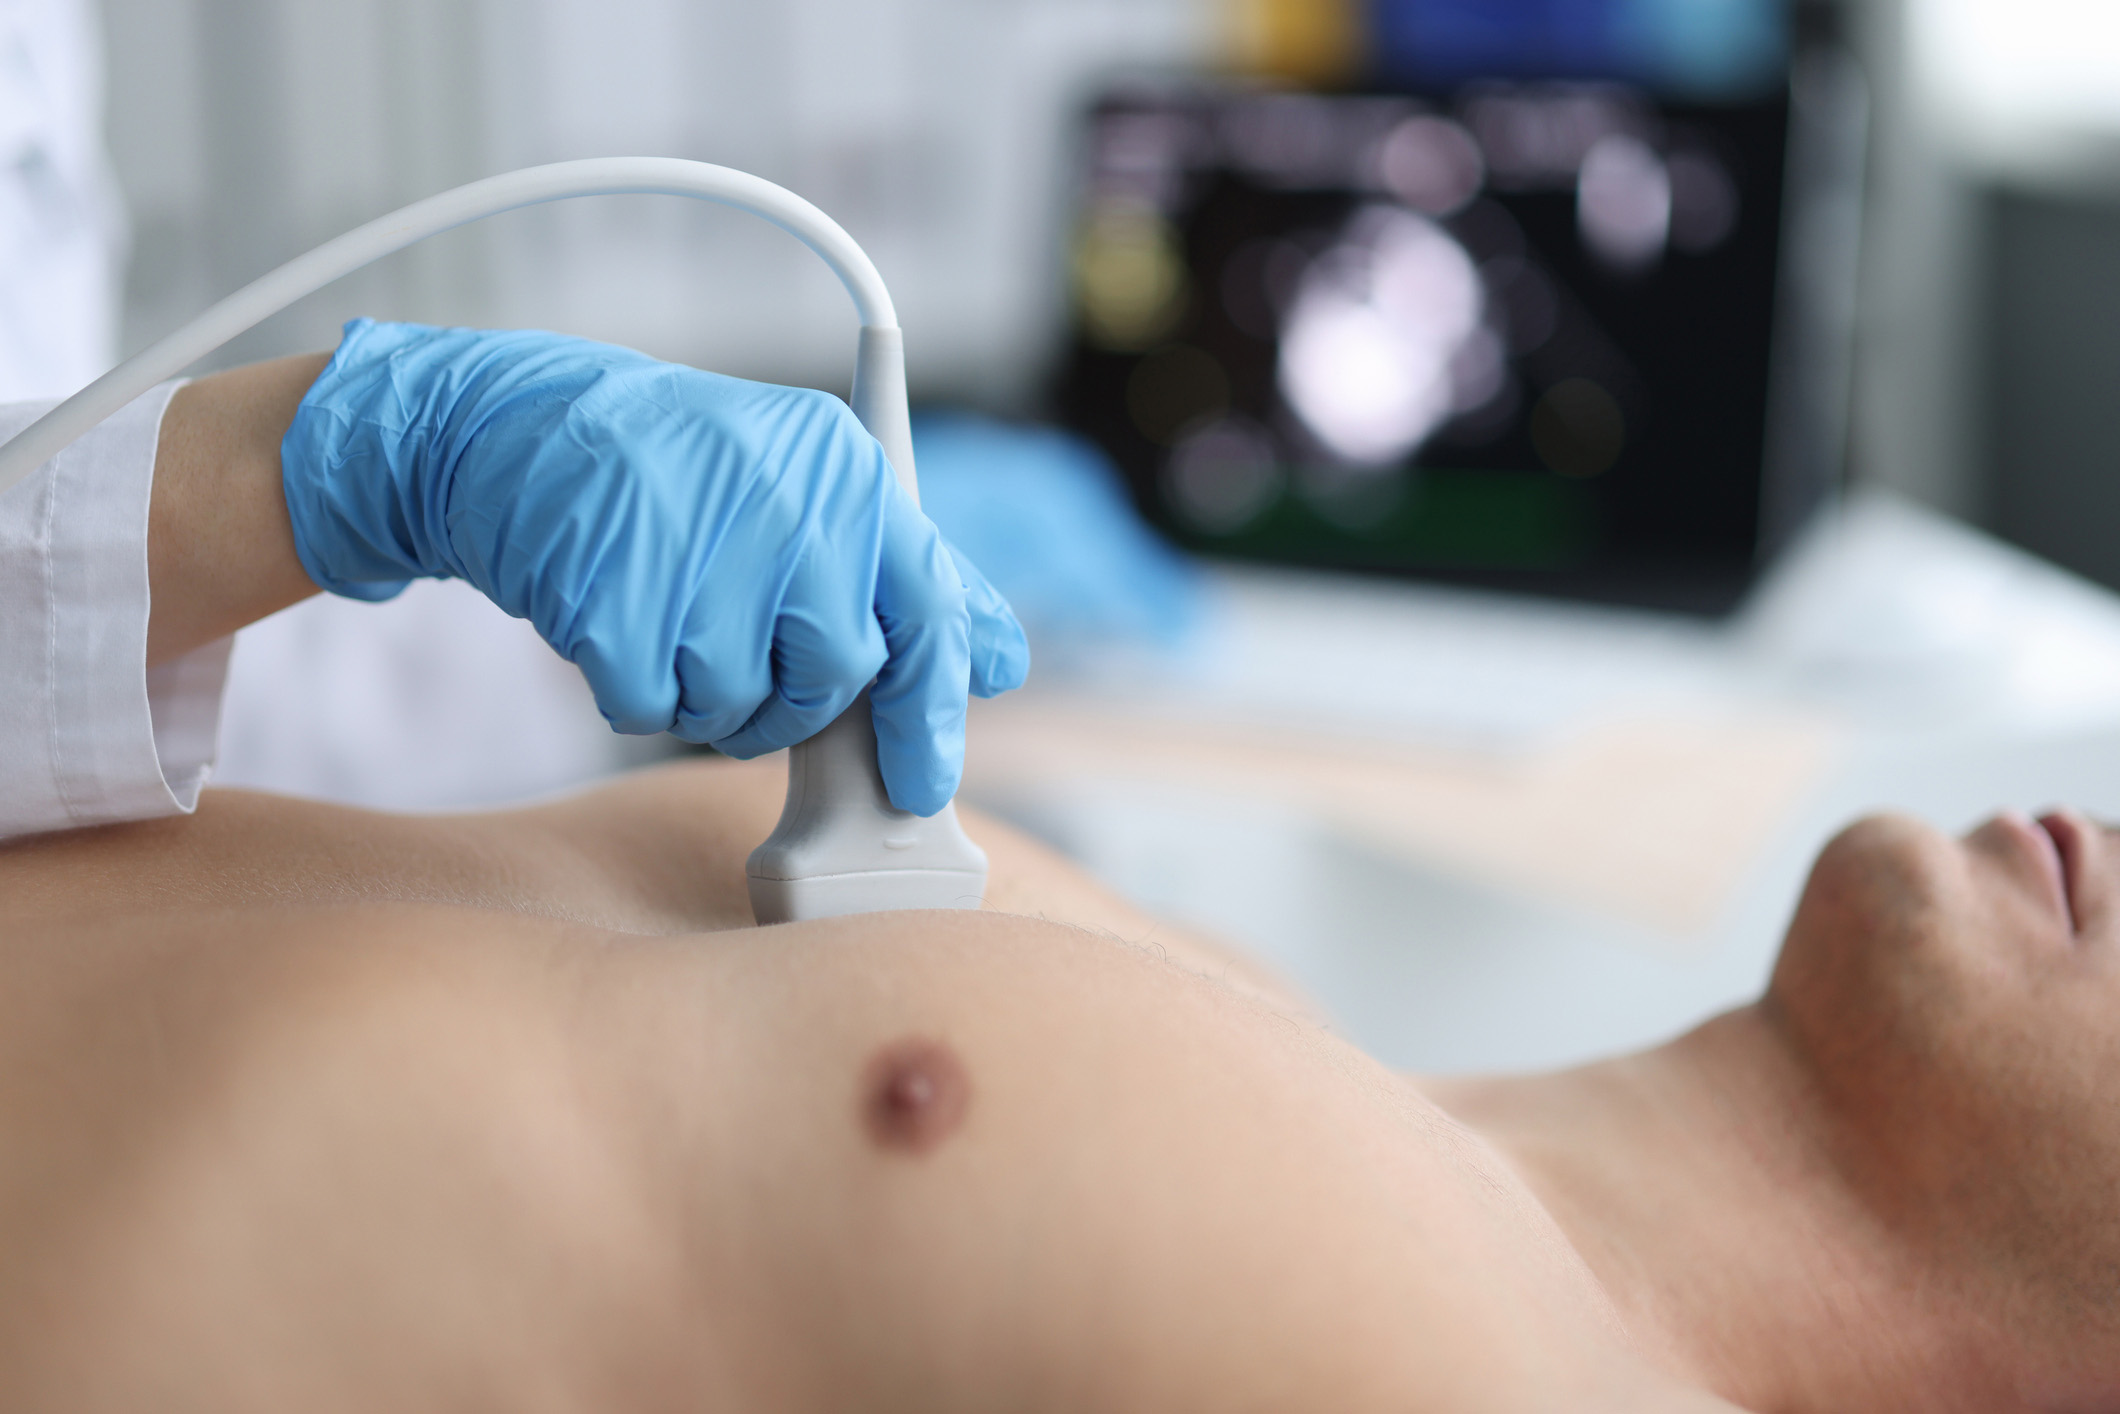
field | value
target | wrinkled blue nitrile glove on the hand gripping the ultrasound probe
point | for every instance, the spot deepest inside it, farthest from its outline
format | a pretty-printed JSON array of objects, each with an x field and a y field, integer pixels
[{"x": 724, "y": 561}]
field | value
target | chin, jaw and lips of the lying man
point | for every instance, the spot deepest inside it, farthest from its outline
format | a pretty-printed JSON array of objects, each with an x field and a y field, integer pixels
[{"x": 1958, "y": 1008}]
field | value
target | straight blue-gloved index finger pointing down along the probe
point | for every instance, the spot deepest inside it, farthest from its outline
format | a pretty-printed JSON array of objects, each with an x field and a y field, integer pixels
[{"x": 921, "y": 692}]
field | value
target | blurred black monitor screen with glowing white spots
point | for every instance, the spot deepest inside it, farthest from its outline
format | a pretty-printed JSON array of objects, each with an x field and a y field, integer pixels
[{"x": 1506, "y": 330}]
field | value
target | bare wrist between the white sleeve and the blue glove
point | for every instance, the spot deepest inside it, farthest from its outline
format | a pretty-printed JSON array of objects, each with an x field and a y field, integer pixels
[{"x": 219, "y": 546}]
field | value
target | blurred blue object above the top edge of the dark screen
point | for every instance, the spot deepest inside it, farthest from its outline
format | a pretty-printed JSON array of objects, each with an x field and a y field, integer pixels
[{"x": 1686, "y": 48}]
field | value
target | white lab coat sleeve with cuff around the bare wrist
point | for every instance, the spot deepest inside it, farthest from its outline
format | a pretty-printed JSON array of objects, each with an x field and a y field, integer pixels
[{"x": 88, "y": 732}]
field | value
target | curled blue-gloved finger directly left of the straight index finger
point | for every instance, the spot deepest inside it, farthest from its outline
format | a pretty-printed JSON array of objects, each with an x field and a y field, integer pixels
[{"x": 828, "y": 646}]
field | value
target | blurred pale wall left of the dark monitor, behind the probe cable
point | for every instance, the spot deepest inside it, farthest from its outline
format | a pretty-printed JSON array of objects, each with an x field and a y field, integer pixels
[{"x": 934, "y": 130}]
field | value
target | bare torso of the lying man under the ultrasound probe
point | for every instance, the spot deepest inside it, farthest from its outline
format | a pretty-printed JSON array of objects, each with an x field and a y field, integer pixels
[{"x": 315, "y": 1110}]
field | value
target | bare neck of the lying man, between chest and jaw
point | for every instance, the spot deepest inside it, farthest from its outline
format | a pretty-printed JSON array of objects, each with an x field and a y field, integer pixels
[{"x": 1695, "y": 1184}]
